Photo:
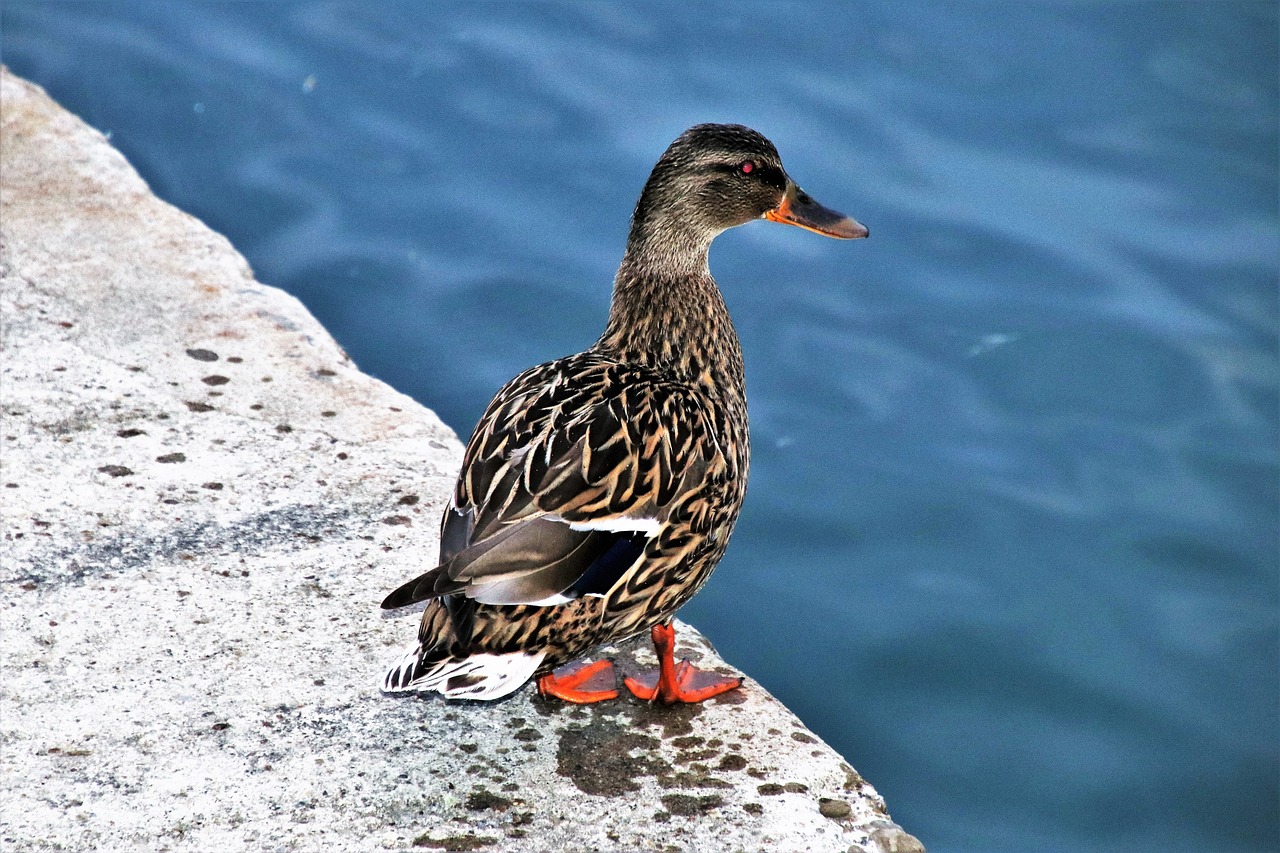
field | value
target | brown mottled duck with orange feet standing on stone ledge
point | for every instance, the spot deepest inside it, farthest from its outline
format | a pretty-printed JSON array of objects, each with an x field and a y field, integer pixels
[{"x": 600, "y": 491}]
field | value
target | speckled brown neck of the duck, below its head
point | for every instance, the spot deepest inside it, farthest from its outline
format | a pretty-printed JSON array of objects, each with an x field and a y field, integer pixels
[{"x": 669, "y": 313}]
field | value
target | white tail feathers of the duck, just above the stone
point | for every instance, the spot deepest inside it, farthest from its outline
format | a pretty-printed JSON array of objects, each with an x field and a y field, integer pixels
[{"x": 481, "y": 677}]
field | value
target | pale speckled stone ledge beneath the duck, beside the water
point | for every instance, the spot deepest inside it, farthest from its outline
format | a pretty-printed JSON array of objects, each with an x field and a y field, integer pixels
[{"x": 204, "y": 503}]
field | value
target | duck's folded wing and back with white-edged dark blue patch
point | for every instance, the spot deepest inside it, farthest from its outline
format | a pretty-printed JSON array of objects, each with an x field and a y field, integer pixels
[{"x": 568, "y": 478}]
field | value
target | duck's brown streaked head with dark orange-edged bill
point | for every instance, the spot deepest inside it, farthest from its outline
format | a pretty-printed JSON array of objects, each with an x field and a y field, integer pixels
[{"x": 715, "y": 177}]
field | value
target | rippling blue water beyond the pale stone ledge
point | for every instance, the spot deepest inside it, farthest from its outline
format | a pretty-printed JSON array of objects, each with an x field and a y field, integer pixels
[{"x": 1012, "y": 537}]
